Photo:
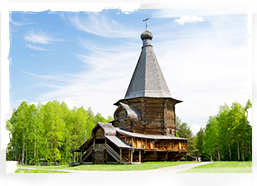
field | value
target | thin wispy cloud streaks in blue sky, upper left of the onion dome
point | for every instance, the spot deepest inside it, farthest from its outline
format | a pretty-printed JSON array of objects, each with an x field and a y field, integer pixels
[{"x": 100, "y": 25}]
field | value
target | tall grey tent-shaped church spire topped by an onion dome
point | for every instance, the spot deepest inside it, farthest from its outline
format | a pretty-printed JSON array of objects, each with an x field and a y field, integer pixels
[{"x": 147, "y": 79}]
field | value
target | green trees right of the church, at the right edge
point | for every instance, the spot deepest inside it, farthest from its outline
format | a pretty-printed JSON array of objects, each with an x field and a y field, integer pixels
[{"x": 228, "y": 135}]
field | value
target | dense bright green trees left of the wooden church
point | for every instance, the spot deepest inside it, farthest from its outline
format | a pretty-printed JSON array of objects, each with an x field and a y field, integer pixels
[{"x": 47, "y": 132}]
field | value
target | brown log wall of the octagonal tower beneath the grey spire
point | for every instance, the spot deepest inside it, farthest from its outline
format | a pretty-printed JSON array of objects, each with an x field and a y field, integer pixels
[{"x": 158, "y": 116}]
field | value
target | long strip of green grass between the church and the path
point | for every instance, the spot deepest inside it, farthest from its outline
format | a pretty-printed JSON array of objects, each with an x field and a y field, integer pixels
[{"x": 112, "y": 167}]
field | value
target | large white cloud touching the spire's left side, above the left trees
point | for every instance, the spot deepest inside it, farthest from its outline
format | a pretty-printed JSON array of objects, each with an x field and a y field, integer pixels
[{"x": 101, "y": 86}]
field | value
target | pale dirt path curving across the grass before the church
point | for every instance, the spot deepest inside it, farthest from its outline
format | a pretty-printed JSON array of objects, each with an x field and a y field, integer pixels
[{"x": 174, "y": 169}]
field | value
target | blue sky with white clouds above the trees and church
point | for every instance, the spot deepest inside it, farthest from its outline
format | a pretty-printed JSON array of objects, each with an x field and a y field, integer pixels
[{"x": 88, "y": 58}]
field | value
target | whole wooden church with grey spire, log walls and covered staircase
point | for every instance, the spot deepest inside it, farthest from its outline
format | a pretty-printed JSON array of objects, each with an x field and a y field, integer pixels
[{"x": 144, "y": 127}]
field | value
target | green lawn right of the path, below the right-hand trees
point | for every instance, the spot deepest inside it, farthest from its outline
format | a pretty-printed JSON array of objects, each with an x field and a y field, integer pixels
[{"x": 223, "y": 167}]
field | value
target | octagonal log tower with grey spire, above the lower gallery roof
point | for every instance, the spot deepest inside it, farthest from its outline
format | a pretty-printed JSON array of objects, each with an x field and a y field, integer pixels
[{"x": 147, "y": 107}]
